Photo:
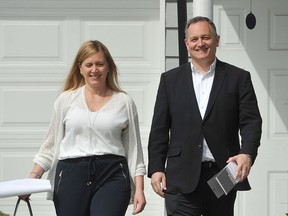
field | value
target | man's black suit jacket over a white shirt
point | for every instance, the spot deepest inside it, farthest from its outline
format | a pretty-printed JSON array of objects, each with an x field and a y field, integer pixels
[{"x": 177, "y": 131}]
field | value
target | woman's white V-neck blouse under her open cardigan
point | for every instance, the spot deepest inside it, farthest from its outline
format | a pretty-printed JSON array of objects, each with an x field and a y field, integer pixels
[{"x": 94, "y": 133}]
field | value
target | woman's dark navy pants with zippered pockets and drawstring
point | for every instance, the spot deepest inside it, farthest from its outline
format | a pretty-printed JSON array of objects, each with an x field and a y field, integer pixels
[{"x": 92, "y": 186}]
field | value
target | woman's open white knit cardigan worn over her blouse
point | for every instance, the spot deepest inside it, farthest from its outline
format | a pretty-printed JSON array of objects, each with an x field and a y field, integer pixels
[{"x": 47, "y": 157}]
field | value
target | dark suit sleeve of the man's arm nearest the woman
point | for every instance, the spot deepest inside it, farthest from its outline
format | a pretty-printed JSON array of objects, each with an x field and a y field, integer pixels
[{"x": 159, "y": 134}]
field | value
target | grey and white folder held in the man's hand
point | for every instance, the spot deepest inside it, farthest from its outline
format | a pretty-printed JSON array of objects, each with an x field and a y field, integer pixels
[{"x": 224, "y": 181}]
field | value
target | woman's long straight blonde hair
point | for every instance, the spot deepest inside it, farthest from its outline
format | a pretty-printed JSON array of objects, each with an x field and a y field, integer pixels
[{"x": 75, "y": 80}]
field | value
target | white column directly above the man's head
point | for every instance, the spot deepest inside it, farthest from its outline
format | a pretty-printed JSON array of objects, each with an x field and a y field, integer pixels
[{"x": 203, "y": 8}]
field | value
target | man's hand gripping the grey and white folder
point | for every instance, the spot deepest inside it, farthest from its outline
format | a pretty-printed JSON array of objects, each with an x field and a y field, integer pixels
[{"x": 244, "y": 163}]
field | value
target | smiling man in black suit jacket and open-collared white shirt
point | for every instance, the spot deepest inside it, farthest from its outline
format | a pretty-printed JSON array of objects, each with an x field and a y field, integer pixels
[{"x": 200, "y": 109}]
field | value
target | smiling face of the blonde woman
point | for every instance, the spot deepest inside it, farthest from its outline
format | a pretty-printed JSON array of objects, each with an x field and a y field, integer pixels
[{"x": 94, "y": 69}]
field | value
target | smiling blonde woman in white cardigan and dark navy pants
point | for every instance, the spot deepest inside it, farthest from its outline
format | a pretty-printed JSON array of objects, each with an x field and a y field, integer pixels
[{"x": 93, "y": 142}]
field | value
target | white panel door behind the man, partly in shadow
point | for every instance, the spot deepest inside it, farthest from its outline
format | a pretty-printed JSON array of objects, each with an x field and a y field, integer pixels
[{"x": 264, "y": 52}]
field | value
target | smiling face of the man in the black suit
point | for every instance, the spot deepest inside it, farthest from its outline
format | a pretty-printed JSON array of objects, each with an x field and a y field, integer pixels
[{"x": 201, "y": 42}]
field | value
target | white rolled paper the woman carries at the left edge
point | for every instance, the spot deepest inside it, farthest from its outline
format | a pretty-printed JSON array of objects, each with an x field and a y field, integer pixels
[{"x": 23, "y": 187}]
